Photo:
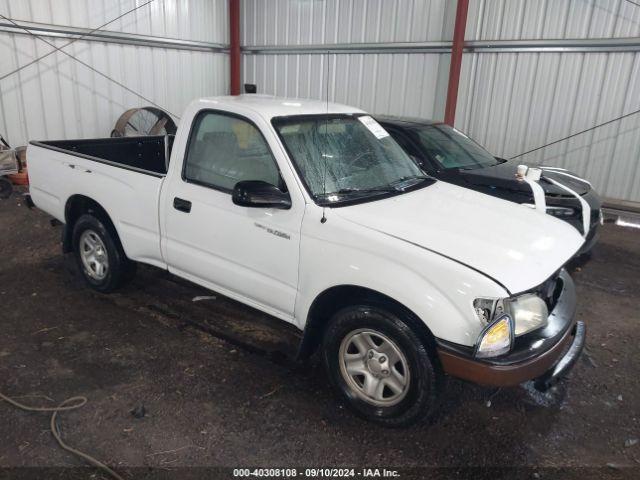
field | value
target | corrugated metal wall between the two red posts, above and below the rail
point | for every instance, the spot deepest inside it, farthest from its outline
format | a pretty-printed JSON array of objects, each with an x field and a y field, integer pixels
[{"x": 378, "y": 82}]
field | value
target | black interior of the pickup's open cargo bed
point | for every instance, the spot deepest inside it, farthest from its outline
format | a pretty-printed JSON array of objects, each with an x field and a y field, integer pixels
[{"x": 143, "y": 154}]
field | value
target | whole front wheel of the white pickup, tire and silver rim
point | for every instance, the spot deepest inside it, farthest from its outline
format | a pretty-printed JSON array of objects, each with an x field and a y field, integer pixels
[{"x": 380, "y": 366}]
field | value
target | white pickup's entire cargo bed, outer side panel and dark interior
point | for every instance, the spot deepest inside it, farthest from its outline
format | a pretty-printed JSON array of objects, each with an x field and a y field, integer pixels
[{"x": 122, "y": 175}]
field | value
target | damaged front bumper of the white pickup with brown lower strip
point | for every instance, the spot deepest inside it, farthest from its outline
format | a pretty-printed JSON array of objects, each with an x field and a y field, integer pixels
[{"x": 543, "y": 355}]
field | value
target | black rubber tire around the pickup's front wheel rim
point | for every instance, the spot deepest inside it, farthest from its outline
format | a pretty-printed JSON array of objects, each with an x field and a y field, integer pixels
[{"x": 425, "y": 377}]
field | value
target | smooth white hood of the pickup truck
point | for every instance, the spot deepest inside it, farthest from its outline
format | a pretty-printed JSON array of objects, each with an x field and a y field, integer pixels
[{"x": 515, "y": 245}]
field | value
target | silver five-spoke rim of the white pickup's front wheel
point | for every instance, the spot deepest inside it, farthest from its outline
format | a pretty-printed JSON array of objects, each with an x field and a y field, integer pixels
[{"x": 374, "y": 367}]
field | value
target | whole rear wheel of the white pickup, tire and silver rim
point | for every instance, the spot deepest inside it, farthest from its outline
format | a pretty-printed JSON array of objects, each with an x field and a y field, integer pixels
[{"x": 99, "y": 255}]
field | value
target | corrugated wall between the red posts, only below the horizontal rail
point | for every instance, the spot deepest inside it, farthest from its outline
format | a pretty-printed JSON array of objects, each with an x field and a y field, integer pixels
[{"x": 390, "y": 83}]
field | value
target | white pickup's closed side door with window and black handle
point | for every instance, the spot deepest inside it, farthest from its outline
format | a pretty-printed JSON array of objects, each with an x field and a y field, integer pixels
[{"x": 250, "y": 254}]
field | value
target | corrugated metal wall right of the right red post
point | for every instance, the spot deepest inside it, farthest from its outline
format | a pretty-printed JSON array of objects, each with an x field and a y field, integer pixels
[{"x": 515, "y": 102}]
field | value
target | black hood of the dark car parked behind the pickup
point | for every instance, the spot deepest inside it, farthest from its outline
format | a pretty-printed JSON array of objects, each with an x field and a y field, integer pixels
[{"x": 504, "y": 176}]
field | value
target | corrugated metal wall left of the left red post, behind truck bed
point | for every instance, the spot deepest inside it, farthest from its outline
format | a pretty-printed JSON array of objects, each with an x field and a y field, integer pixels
[{"x": 60, "y": 98}]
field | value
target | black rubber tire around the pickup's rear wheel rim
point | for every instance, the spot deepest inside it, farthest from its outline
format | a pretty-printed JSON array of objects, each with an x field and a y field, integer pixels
[{"x": 120, "y": 268}]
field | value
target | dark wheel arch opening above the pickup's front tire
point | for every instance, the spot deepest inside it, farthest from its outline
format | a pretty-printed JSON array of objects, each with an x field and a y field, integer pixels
[{"x": 333, "y": 299}]
